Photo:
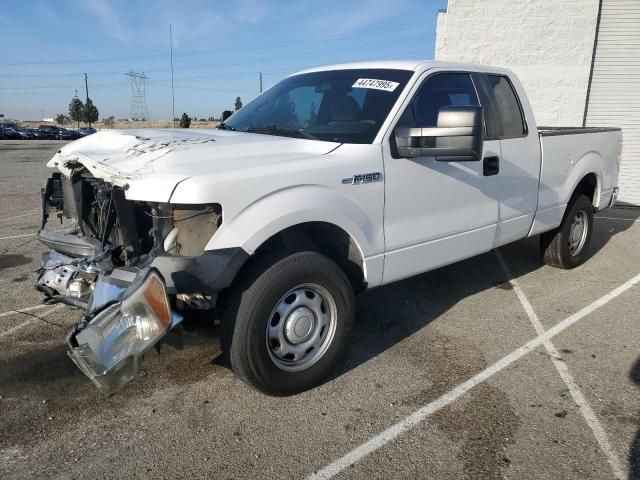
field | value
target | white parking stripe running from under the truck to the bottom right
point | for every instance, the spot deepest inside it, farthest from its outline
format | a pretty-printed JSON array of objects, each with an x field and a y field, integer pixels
[{"x": 580, "y": 400}]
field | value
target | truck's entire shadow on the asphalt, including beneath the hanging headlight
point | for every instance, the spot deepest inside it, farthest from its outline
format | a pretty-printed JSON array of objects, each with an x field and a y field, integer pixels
[{"x": 386, "y": 316}]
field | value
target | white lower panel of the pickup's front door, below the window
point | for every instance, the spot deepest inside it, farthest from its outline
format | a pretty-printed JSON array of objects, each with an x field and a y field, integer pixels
[{"x": 437, "y": 212}]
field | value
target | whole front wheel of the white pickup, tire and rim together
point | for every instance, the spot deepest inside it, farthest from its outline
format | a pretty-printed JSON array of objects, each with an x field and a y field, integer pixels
[{"x": 288, "y": 321}]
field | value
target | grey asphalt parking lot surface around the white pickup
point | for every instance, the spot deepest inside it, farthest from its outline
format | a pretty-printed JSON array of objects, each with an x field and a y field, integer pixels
[{"x": 416, "y": 340}]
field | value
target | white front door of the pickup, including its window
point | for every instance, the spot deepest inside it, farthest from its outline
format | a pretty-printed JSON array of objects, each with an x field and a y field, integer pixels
[{"x": 438, "y": 212}]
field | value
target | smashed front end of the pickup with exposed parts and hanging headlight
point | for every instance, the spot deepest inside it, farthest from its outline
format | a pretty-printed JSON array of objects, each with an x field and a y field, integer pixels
[{"x": 127, "y": 264}]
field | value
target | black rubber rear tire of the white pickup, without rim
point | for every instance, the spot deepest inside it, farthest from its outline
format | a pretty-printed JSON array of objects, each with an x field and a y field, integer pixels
[{"x": 555, "y": 244}]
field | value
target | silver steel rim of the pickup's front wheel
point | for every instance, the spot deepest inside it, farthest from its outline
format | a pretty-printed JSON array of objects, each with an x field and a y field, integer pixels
[{"x": 301, "y": 327}]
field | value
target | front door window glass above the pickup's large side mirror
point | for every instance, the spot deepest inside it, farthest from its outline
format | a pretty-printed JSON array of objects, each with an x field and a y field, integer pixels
[{"x": 440, "y": 90}]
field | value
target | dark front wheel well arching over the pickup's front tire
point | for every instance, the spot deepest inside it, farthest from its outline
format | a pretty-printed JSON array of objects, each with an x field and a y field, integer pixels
[{"x": 324, "y": 238}]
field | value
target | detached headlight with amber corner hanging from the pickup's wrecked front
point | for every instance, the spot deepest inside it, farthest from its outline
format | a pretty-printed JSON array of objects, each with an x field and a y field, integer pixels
[{"x": 110, "y": 348}]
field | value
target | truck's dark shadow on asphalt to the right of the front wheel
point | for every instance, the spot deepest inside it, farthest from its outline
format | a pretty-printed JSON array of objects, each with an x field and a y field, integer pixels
[{"x": 389, "y": 314}]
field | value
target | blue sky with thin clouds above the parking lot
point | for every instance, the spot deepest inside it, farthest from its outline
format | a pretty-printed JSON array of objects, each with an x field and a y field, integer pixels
[{"x": 219, "y": 48}]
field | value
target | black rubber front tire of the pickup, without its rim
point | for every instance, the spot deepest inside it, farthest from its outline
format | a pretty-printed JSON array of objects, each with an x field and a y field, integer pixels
[{"x": 248, "y": 310}]
